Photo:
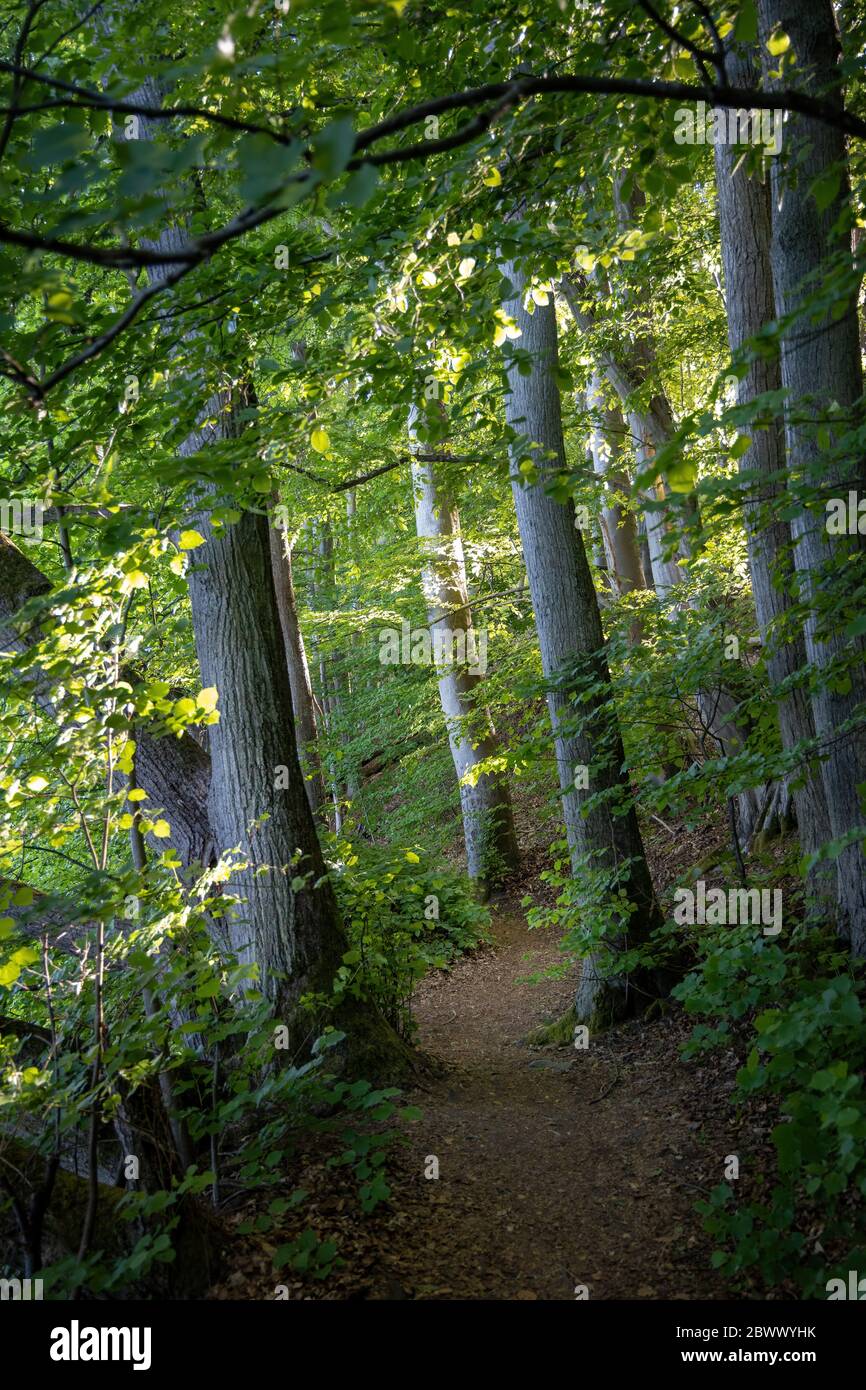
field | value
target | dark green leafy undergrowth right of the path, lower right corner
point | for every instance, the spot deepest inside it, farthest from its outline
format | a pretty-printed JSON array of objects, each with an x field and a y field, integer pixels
[{"x": 799, "y": 1015}]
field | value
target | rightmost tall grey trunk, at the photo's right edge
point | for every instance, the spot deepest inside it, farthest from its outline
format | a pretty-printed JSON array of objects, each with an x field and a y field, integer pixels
[{"x": 821, "y": 373}]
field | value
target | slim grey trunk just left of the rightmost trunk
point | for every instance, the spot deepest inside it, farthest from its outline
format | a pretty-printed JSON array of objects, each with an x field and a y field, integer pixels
[{"x": 746, "y": 227}]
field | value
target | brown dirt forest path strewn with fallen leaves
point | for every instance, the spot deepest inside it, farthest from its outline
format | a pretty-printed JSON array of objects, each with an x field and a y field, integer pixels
[{"x": 557, "y": 1167}]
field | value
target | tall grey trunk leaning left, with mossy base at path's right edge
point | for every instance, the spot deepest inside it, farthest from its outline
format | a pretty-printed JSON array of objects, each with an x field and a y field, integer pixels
[{"x": 603, "y": 836}]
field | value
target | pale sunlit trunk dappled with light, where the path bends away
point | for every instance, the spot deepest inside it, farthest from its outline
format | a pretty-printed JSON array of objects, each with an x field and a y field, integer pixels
[{"x": 489, "y": 825}]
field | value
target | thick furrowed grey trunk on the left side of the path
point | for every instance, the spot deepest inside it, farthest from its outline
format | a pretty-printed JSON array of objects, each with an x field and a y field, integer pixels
[{"x": 258, "y": 800}]
